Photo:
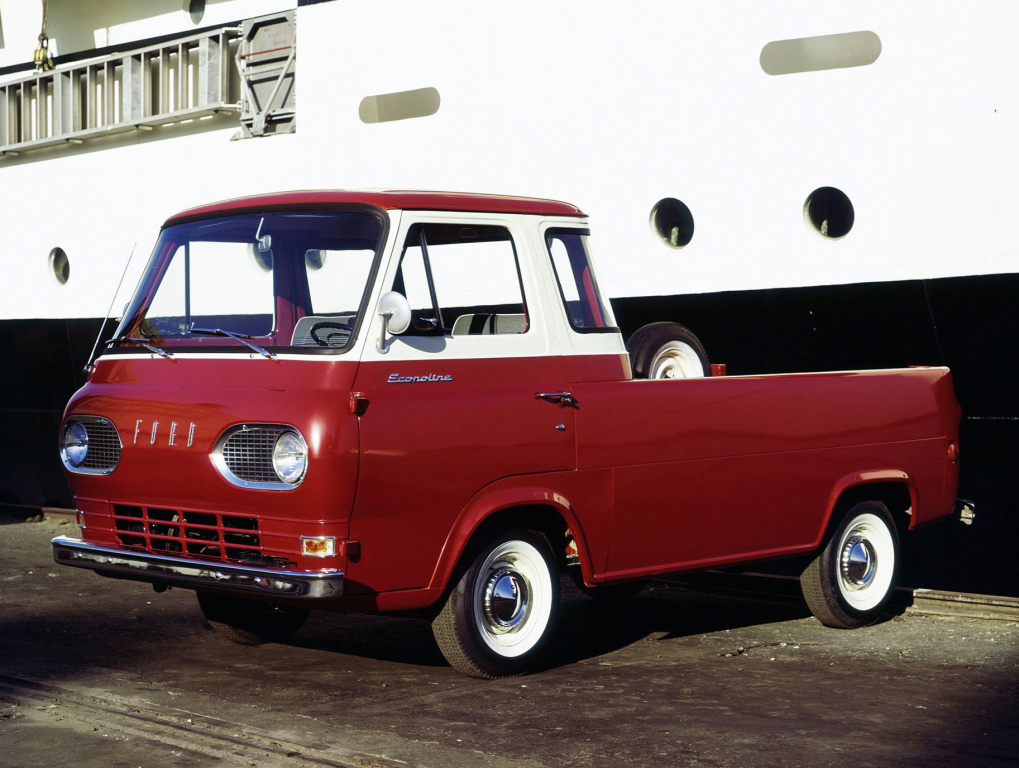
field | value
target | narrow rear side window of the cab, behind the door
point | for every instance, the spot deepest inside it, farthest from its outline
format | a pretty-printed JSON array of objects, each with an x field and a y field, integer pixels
[{"x": 578, "y": 288}]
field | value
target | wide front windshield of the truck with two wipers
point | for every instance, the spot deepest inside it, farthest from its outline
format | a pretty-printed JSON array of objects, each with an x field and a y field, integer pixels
[{"x": 293, "y": 279}]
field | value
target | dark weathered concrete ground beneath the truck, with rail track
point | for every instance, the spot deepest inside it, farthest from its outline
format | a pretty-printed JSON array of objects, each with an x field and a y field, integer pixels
[{"x": 98, "y": 673}]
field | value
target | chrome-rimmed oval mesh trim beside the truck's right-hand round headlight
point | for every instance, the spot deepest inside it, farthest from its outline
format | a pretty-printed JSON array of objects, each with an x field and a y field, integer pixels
[{"x": 244, "y": 456}]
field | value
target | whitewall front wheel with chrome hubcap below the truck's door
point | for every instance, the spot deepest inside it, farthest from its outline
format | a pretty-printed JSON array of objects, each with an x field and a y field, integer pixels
[{"x": 499, "y": 619}]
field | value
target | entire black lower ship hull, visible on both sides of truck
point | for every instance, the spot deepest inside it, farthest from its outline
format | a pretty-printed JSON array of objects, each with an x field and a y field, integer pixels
[{"x": 966, "y": 323}]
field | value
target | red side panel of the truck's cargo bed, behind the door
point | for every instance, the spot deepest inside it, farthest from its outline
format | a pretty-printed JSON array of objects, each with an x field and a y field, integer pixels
[{"x": 724, "y": 470}]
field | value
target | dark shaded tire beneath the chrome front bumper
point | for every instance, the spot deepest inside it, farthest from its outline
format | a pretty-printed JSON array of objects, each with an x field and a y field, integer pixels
[{"x": 251, "y": 623}]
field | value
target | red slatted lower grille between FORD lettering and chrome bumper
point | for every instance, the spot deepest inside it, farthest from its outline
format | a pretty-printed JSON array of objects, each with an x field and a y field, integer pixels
[{"x": 204, "y": 535}]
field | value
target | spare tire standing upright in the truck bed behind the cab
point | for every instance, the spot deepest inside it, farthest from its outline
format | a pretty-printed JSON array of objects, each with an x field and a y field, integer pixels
[{"x": 667, "y": 351}]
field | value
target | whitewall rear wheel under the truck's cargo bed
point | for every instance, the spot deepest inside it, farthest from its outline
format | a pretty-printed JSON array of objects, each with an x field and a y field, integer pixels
[{"x": 851, "y": 582}]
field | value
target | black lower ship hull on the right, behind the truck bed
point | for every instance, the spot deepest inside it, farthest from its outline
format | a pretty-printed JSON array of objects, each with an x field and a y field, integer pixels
[{"x": 967, "y": 323}]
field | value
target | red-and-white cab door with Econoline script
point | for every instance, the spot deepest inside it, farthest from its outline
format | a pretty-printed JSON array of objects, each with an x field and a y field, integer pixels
[{"x": 452, "y": 403}]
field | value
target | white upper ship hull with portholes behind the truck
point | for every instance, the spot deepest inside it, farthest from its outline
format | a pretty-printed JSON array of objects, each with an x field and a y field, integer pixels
[{"x": 608, "y": 109}]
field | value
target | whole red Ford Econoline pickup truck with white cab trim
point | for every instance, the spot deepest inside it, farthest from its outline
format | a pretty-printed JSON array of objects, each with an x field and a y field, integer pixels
[{"x": 419, "y": 403}]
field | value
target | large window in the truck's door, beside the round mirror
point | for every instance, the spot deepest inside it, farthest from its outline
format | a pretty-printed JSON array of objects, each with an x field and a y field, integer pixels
[{"x": 462, "y": 281}]
